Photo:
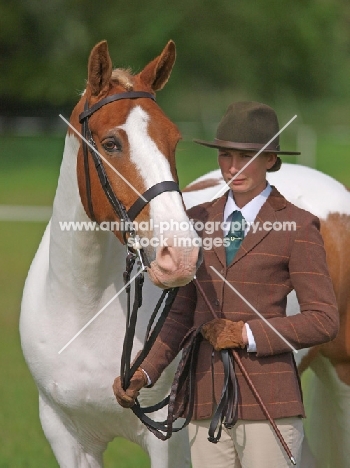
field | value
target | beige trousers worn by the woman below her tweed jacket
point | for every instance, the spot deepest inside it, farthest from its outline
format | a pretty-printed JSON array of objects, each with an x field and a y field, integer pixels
[{"x": 249, "y": 444}]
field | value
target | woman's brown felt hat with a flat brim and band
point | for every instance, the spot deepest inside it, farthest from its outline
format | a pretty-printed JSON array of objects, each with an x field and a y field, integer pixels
[{"x": 247, "y": 126}]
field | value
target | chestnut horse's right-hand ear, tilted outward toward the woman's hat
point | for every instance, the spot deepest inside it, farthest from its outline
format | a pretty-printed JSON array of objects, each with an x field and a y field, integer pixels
[{"x": 157, "y": 72}]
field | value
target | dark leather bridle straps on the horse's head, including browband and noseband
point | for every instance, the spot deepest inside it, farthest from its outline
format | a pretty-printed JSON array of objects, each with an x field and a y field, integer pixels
[{"x": 126, "y": 216}]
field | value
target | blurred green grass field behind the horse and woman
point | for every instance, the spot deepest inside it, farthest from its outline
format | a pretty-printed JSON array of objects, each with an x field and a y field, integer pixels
[{"x": 28, "y": 175}]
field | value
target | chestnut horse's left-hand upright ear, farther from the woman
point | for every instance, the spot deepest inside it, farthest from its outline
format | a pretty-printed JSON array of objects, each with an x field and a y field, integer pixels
[{"x": 99, "y": 69}]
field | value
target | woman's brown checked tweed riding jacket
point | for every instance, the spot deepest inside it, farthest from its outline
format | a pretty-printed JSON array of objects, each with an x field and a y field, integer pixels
[{"x": 269, "y": 264}]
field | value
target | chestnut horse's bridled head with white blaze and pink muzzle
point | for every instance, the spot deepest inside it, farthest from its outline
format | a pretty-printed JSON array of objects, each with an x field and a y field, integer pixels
[{"x": 128, "y": 169}]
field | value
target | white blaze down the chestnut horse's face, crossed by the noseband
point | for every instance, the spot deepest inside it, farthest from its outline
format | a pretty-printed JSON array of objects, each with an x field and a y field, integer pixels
[{"x": 153, "y": 166}]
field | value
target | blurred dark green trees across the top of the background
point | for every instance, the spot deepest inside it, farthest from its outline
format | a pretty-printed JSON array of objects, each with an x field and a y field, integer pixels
[{"x": 268, "y": 48}]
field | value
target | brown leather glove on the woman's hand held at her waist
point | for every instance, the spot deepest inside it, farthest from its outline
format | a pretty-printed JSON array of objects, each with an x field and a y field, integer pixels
[{"x": 223, "y": 333}]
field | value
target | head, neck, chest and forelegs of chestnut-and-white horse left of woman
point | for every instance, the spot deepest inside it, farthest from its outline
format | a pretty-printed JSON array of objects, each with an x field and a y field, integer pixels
[{"x": 75, "y": 274}]
